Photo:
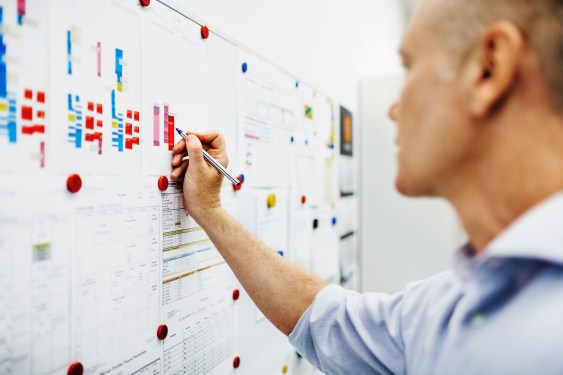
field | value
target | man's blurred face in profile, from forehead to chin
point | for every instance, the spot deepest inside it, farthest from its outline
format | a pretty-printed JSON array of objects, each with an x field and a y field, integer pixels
[{"x": 435, "y": 134}]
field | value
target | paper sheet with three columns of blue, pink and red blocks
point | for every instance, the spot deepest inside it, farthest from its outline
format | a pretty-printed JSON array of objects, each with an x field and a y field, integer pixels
[{"x": 96, "y": 87}]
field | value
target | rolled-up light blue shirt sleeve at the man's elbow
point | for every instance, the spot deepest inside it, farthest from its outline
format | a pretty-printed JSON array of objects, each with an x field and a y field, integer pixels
[{"x": 345, "y": 332}]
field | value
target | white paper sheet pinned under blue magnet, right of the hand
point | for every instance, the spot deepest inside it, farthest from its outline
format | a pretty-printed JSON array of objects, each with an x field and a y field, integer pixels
[{"x": 267, "y": 110}]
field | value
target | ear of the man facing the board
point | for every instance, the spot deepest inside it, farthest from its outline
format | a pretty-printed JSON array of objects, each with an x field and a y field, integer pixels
[{"x": 493, "y": 67}]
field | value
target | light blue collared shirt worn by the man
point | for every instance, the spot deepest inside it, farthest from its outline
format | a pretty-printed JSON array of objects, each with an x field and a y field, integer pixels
[{"x": 499, "y": 312}]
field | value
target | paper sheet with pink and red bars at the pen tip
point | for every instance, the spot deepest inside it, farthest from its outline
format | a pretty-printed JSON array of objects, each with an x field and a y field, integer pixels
[{"x": 174, "y": 85}]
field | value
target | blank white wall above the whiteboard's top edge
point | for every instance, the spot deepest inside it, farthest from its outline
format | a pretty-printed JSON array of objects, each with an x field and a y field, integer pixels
[{"x": 329, "y": 44}]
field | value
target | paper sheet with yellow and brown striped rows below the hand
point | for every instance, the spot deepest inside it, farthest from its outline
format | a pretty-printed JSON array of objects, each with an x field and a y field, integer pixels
[{"x": 197, "y": 288}]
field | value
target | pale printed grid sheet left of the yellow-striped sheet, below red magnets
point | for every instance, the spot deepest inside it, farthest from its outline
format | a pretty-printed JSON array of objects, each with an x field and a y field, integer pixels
[{"x": 118, "y": 278}]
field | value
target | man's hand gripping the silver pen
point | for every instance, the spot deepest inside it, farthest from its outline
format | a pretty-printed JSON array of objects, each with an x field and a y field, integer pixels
[{"x": 202, "y": 182}]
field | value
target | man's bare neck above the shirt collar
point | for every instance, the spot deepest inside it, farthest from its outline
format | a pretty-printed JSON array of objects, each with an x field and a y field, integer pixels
[{"x": 501, "y": 187}]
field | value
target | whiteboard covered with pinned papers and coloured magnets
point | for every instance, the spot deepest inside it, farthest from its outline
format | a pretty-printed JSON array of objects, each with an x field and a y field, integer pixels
[{"x": 101, "y": 269}]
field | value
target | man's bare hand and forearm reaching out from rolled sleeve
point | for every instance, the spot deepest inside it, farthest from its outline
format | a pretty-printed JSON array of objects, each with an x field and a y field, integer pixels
[{"x": 281, "y": 289}]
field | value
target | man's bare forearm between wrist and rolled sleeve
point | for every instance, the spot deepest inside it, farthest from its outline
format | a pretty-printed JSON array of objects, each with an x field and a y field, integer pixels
[{"x": 281, "y": 289}]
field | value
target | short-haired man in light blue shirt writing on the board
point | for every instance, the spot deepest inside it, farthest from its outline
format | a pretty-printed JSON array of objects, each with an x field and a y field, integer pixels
[{"x": 480, "y": 123}]
